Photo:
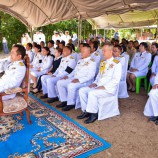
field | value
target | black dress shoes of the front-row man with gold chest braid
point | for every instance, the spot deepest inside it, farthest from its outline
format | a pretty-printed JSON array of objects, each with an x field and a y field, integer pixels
[{"x": 91, "y": 117}]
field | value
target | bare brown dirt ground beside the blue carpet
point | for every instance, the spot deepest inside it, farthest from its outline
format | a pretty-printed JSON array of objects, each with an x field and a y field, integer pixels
[{"x": 131, "y": 134}]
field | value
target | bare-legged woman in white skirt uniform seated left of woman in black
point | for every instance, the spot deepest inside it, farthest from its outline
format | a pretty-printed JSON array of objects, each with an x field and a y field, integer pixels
[{"x": 44, "y": 66}]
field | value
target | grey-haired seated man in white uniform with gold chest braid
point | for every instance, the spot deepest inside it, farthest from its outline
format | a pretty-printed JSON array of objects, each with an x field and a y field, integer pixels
[{"x": 105, "y": 85}]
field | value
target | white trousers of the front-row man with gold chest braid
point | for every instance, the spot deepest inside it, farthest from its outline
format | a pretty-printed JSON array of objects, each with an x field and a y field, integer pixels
[{"x": 89, "y": 99}]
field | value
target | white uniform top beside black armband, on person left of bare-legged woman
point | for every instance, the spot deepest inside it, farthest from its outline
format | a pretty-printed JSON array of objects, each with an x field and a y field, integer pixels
[{"x": 35, "y": 63}]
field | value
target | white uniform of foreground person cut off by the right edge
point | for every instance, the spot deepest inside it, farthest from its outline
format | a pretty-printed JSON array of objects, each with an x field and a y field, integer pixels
[{"x": 151, "y": 107}]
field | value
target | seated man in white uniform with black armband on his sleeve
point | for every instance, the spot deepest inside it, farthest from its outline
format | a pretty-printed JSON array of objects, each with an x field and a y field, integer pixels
[{"x": 49, "y": 81}]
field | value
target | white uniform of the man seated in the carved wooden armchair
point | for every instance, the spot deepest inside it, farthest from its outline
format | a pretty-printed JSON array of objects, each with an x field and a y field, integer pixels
[{"x": 13, "y": 77}]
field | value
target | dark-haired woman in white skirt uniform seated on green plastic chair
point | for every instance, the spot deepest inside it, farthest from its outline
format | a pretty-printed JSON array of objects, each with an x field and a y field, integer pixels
[{"x": 139, "y": 66}]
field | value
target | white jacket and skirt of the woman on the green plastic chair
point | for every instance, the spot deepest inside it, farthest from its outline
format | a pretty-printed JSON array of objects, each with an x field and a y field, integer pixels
[{"x": 141, "y": 63}]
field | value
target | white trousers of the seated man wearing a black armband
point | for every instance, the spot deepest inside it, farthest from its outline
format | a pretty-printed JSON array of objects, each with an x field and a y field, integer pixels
[{"x": 49, "y": 85}]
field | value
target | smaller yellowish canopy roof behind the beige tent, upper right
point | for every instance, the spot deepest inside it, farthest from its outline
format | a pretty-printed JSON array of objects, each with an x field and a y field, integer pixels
[{"x": 133, "y": 19}]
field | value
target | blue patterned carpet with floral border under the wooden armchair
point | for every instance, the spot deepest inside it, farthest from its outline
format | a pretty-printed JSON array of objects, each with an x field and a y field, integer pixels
[{"x": 51, "y": 135}]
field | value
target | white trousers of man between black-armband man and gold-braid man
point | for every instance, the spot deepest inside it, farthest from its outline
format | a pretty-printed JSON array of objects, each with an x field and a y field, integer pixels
[{"x": 68, "y": 91}]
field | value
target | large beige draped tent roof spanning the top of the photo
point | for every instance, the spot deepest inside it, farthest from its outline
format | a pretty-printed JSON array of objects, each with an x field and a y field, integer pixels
[{"x": 37, "y": 13}]
